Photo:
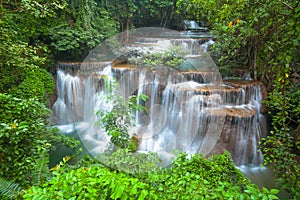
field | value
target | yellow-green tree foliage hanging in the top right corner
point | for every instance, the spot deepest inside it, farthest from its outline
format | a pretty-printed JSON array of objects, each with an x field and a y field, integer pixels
[{"x": 251, "y": 34}]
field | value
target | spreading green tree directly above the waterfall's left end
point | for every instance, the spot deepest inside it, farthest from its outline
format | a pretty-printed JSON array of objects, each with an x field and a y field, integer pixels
[{"x": 86, "y": 26}]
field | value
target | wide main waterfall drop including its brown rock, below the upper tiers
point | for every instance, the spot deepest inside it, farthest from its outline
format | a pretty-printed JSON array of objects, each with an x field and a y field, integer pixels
[{"x": 183, "y": 114}]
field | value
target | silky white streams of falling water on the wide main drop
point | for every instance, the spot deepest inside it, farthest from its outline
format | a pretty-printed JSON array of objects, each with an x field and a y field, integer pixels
[{"x": 177, "y": 118}]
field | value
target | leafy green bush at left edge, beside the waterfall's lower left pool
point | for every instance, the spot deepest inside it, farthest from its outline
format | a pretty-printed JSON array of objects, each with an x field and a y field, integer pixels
[{"x": 24, "y": 139}]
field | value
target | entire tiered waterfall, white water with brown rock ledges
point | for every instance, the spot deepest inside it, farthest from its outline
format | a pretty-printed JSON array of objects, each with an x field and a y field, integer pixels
[{"x": 191, "y": 109}]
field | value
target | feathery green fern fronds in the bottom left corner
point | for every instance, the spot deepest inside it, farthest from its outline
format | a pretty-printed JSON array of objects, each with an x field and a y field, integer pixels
[{"x": 9, "y": 189}]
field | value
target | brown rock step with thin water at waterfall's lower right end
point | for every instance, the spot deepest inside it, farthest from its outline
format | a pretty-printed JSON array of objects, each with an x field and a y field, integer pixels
[{"x": 240, "y": 135}]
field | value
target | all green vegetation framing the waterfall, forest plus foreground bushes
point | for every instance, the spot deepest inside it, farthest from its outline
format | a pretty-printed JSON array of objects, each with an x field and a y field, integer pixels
[{"x": 262, "y": 36}]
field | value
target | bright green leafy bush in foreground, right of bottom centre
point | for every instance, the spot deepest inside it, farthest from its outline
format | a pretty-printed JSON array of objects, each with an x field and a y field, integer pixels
[{"x": 195, "y": 177}]
